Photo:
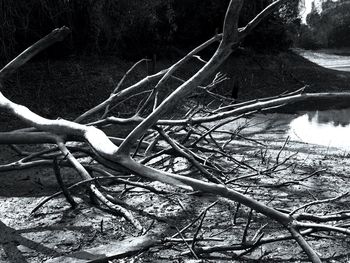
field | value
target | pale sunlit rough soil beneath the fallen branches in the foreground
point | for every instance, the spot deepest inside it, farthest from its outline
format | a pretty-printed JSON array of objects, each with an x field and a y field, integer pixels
[{"x": 56, "y": 229}]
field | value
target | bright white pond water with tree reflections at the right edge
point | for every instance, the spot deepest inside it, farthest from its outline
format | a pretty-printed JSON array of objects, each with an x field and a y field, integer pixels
[{"x": 328, "y": 128}]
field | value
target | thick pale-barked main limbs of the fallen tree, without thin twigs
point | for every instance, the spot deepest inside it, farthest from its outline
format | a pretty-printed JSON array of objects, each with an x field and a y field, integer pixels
[{"x": 114, "y": 157}]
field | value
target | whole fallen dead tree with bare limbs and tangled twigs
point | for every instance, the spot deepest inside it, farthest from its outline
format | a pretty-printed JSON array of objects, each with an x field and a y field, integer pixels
[{"x": 141, "y": 152}]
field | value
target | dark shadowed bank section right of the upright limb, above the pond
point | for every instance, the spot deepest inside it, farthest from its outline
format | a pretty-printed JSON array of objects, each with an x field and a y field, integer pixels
[{"x": 260, "y": 75}]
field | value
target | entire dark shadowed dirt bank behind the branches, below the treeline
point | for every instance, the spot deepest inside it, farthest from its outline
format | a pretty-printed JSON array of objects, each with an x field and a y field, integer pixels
[{"x": 69, "y": 86}]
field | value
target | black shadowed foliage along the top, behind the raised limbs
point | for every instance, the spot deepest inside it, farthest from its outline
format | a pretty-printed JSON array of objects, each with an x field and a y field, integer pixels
[{"x": 134, "y": 28}]
